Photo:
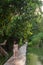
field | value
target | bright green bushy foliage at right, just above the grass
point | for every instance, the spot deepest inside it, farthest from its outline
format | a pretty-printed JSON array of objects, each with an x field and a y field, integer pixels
[{"x": 36, "y": 39}]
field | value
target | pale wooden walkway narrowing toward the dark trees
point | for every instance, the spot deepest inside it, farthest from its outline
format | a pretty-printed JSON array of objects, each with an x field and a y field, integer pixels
[{"x": 21, "y": 59}]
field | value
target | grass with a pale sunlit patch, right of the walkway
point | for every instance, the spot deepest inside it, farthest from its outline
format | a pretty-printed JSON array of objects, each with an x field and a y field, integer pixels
[{"x": 33, "y": 55}]
